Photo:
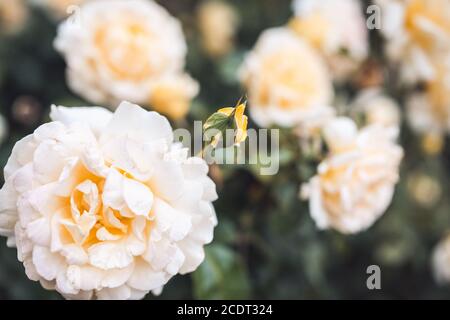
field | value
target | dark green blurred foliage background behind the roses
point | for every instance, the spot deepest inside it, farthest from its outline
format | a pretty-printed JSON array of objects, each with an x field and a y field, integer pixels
[{"x": 266, "y": 245}]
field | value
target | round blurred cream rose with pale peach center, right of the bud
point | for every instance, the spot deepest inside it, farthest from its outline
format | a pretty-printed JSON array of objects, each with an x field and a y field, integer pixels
[{"x": 287, "y": 80}]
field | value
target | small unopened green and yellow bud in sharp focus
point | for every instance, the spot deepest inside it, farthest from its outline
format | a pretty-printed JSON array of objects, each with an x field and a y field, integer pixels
[{"x": 229, "y": 118}]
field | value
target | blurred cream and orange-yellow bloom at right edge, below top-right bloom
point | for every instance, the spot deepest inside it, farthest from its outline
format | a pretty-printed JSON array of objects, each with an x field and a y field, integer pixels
[{"x": 429, "y": 111}]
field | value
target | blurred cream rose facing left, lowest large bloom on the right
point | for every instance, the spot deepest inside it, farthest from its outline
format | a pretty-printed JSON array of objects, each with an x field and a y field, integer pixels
[{"x": 355, "y": 183}]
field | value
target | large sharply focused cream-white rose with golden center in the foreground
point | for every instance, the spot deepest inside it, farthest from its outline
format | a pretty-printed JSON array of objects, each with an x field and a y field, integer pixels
[{"x": 106, "y": 206}]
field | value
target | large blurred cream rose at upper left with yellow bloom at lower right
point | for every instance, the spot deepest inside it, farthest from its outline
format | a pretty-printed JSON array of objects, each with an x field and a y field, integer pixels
[{"x": 127, "y": 50}]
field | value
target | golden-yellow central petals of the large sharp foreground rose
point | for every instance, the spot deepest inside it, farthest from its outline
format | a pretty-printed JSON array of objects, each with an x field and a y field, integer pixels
[{"x": 89, "y": 219}]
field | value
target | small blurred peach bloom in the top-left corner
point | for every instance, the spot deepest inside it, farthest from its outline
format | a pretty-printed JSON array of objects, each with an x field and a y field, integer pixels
[{"x": 13, "y": 15}]
